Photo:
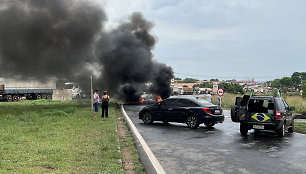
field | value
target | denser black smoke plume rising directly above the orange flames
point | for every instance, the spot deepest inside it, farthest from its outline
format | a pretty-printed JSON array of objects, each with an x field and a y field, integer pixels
[{"x": 127, "y": 60}]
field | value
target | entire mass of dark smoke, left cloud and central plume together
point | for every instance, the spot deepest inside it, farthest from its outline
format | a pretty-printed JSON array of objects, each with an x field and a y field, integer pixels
[{"x": 65, "y": 39}]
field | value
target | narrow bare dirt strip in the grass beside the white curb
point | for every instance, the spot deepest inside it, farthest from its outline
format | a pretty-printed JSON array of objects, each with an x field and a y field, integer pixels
[{"x": 125, "y": 150}]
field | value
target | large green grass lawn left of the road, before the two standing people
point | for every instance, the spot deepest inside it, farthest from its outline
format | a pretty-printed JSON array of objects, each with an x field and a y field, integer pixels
[{"x": 58, "y": 137}]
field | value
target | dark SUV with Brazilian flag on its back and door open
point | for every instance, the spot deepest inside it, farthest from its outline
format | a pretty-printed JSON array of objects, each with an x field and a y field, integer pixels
[{"x": 263, "y": 113}]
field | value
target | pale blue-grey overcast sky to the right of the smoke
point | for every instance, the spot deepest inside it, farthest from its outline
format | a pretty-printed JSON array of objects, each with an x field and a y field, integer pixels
[{"x": 224, "y": 39}]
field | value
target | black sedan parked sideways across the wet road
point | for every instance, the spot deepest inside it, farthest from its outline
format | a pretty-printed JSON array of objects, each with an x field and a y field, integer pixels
[{"x": 190, "y": 110}]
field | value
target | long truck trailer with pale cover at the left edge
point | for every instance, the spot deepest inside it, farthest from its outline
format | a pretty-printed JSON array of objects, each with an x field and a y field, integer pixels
[{"x": 14, "y": 90}]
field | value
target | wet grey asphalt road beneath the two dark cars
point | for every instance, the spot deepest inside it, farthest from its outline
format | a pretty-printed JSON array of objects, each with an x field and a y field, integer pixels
[{"x": 221, "y": 149}]
